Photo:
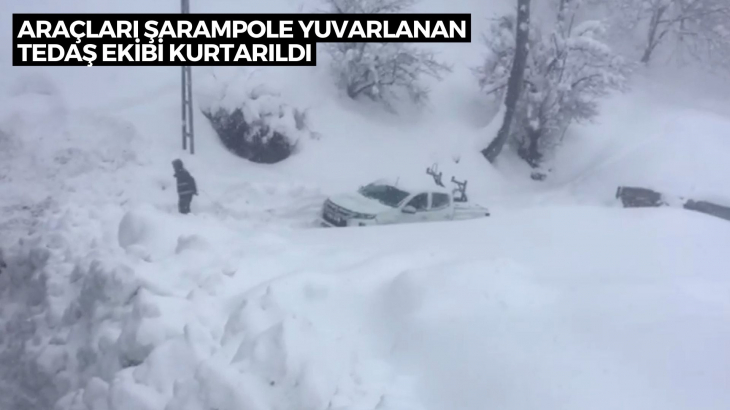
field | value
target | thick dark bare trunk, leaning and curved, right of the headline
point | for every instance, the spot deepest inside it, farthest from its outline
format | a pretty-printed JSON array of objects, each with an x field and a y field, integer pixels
[{"x": 514, "y": 85}]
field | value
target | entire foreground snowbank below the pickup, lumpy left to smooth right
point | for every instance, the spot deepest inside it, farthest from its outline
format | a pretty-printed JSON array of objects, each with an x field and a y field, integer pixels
[{"x": 515, "y": 311}]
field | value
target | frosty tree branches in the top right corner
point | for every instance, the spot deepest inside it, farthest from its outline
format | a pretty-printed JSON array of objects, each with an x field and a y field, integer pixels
[{"x": 700, "y": 28}]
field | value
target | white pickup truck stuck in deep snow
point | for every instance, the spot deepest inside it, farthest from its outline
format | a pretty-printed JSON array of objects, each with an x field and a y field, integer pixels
[{"x": 383, "y": 203}]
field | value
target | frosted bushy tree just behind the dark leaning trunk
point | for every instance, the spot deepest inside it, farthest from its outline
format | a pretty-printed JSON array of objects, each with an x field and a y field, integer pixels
[{"x": 568, "y": 70}]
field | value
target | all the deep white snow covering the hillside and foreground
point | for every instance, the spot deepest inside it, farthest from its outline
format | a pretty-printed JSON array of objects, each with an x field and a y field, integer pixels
[{"x": 560, "y": 300}]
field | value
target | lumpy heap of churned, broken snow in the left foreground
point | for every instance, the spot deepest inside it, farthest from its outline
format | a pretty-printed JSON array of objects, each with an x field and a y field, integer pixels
[{"x": 151, "y": 333}]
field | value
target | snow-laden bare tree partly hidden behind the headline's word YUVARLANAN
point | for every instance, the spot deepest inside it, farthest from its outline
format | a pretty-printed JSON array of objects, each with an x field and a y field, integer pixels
[{"x": 383, "y": 72}]
